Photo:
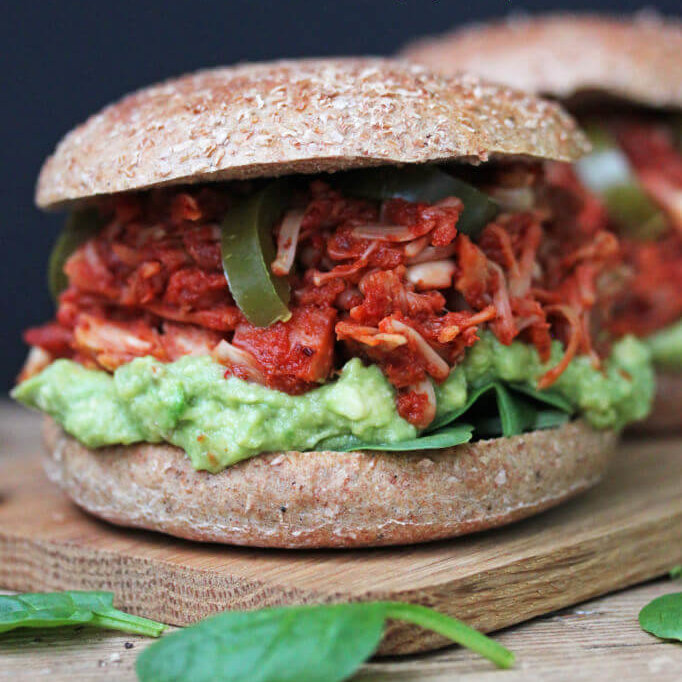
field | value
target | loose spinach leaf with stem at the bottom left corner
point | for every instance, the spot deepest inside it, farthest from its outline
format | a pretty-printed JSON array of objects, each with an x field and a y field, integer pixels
[{"x": 55, "y": 609}]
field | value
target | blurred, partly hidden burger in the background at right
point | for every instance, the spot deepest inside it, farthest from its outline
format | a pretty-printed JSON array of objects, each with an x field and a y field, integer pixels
[{"x": 622, "y": 78}]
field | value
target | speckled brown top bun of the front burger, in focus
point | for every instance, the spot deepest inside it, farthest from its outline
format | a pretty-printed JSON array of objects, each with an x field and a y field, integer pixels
[{"x": 298, "y": 117}]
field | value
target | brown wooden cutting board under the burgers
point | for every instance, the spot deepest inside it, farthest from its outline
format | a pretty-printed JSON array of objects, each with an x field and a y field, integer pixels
[{"x": 624, "y": 531}]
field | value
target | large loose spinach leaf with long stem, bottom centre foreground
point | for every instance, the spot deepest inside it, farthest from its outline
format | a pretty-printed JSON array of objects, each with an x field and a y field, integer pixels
[{"x": 325, "y": 643}]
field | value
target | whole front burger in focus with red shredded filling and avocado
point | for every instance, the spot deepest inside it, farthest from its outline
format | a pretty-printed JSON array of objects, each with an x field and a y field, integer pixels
[{"x": 326, "y": 303}]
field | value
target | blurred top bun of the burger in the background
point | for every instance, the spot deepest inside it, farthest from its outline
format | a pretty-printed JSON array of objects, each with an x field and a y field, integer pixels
[{"x": 637, "y": 59}]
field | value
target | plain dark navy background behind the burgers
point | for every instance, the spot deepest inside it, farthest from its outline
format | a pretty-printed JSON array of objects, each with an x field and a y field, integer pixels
[{"x": 61, "y": 61}]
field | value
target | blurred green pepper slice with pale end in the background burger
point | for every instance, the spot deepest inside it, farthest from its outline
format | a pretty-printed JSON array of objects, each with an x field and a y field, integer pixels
[{"x": 607, "y": 173}]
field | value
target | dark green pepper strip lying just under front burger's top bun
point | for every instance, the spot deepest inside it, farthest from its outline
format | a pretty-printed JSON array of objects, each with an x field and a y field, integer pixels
[{"x": 421, "y": 183}]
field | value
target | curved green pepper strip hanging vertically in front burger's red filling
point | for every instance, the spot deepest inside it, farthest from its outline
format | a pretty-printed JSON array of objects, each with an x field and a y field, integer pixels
[{"x": 248, "y": 249}]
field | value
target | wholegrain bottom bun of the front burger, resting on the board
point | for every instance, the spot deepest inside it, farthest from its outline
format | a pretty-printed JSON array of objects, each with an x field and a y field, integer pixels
[{"x": 332, "y": 499}]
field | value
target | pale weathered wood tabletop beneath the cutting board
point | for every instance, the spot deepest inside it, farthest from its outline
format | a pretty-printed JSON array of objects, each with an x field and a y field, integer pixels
[{"x": 598, "y": 640}]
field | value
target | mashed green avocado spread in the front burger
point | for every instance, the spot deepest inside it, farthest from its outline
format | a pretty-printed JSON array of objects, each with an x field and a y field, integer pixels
[{"x": 219, "y": 421}]
